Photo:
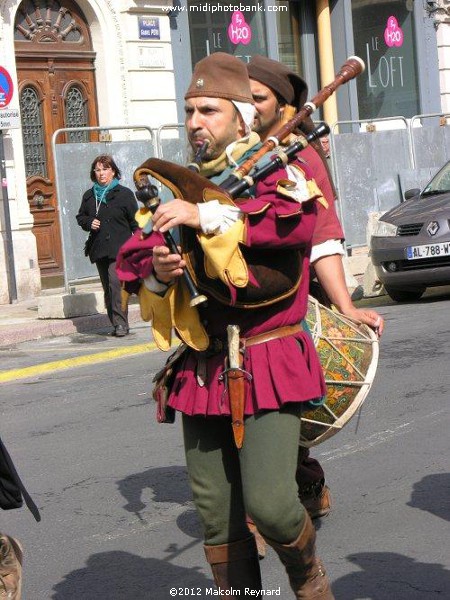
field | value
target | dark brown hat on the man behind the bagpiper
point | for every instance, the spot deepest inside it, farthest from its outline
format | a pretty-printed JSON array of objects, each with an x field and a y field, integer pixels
[{"x": 284, "y": 82}]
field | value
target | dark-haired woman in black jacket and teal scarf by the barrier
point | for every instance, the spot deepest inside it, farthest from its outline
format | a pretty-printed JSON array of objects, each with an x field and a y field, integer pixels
[{"x": 107, "y": 211}]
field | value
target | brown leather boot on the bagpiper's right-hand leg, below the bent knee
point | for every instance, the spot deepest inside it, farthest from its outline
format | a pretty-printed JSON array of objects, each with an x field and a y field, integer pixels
[{"x": 306, "y": 573}]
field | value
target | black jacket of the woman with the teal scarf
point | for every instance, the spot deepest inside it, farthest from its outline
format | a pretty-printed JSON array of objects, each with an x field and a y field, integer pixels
[{"x": 116, "y": 218}]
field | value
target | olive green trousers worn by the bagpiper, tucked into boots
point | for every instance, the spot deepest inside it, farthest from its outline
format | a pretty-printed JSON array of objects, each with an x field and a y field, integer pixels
[{"x": 258, "y": 480}]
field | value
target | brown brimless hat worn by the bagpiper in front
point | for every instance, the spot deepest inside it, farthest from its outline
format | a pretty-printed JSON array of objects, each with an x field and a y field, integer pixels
[{"x": 220, "y": 75}]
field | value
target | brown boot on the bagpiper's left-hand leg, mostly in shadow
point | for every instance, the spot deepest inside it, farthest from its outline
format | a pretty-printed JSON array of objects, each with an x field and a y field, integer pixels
[{"x": 235, "y": 566}]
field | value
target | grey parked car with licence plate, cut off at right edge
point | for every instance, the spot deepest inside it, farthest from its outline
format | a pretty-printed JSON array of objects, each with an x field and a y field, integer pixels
[{"x": 410, "y": 246}]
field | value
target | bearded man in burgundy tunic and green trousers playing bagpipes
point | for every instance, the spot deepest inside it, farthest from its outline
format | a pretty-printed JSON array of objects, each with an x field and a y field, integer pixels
[{"x": 247, "y": 366}]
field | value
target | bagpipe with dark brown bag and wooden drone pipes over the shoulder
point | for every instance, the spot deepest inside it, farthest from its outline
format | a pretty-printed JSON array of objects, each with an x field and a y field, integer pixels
[{"x": 261, "y": 278}]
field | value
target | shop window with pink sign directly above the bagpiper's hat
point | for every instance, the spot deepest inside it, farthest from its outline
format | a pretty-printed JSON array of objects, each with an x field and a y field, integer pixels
[{"x": 215, "y": 28}]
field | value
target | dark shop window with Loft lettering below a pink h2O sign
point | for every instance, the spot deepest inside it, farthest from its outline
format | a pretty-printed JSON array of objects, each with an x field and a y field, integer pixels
[{"x": 384, "y": 39}]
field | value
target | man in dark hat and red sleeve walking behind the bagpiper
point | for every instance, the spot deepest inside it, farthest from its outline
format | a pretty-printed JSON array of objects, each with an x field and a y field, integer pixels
[{"x": 275, "y": 90}]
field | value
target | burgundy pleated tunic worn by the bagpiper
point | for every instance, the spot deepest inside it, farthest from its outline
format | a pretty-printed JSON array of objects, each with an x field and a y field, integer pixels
[{"x": 283, "y": 370}]
